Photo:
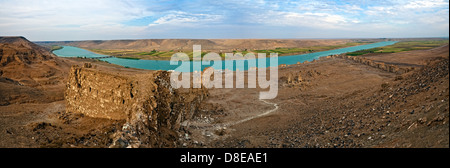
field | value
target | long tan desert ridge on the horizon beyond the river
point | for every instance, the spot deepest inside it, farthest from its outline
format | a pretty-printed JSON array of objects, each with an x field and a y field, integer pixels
[{"x": 217, "y": 45}]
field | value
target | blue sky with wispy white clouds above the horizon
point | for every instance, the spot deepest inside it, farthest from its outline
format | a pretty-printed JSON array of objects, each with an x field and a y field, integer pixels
[{"x": 64, "y": 20}]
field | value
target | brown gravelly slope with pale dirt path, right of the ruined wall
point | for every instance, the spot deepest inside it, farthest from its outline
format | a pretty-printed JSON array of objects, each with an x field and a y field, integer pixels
[{"x": 336, "y": 102}]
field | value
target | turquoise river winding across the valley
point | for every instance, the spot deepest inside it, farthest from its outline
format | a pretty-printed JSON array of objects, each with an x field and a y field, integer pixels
[{"x": 68, "y": 51}]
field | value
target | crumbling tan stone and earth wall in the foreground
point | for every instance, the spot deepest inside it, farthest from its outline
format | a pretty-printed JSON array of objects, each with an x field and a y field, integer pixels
[{"x": 153, "y": 111}]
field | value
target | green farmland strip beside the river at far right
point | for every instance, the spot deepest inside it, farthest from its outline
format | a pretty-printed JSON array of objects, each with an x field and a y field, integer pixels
[{"x": 402, "y": 46}]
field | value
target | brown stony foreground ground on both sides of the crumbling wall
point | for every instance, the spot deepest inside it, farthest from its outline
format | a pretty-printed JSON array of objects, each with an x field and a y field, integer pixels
[{"x": 338, "y": 103}]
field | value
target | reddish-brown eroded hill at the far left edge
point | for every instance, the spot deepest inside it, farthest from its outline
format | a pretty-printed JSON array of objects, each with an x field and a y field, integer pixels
[{"x": 30, "y": 64}]
